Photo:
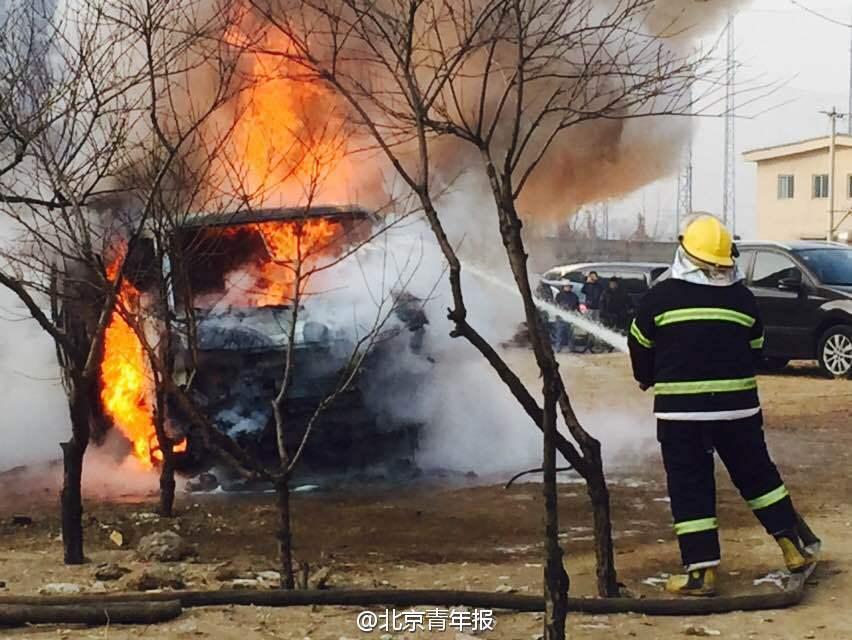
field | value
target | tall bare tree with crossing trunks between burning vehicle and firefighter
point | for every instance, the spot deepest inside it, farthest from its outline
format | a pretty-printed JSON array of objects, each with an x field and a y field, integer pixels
[{"x": 500, "y": 82}]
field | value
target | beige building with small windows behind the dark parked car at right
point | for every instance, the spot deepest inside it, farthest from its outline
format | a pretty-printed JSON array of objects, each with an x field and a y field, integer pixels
[{"x": 793, "y": 189}]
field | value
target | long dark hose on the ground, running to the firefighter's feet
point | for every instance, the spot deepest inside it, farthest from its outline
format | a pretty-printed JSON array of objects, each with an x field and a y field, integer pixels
[{"x": 791, "y": 596}]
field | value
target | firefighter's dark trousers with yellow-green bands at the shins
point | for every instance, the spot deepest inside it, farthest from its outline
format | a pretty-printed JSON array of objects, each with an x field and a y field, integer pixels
[{"x": 688, "y": 448}]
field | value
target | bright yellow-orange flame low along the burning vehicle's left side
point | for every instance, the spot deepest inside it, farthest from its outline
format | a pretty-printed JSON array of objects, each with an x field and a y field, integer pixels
[{"x": 127, "y": 386}]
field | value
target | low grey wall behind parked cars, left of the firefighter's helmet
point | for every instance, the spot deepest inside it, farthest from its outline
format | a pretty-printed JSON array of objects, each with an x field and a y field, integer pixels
[{"x": 549, "y": 252}]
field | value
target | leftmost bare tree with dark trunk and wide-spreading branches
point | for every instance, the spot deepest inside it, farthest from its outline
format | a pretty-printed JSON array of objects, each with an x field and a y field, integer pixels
[{"x": 81, "y": 91}]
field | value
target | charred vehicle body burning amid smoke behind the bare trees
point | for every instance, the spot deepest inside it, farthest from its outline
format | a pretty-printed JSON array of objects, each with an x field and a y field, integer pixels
[{"x": 231, "y": 363}]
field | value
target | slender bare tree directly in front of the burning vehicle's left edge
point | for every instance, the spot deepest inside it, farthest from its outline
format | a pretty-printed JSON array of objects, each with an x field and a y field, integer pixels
[{"x": 176, "y": 173}]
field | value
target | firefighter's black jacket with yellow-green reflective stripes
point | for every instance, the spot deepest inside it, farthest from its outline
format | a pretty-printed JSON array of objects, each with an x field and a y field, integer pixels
[{"x": 697, "y": 346}]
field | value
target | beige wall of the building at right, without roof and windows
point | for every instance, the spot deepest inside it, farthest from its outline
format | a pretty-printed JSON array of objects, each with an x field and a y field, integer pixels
[{"x": 801, "y": 216}]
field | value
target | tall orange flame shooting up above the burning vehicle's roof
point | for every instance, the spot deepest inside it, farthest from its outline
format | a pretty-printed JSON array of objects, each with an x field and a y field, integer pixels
[{"x": 290, "y": 144}]
